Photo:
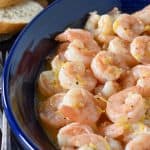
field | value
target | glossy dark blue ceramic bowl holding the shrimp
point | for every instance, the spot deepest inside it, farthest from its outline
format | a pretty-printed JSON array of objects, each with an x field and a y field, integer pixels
[{"x": 27, "y": 53}]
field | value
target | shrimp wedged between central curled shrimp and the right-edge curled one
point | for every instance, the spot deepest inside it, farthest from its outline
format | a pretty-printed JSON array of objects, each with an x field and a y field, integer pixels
[{"x": 121, "y": 49}]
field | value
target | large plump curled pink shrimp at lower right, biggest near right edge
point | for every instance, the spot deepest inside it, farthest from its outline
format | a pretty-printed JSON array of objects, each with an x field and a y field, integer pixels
[{"x": 128, "y": 104}]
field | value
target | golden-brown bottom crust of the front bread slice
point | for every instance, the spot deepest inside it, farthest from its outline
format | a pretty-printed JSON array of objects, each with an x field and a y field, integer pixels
[{"x": 7, "y": 27}]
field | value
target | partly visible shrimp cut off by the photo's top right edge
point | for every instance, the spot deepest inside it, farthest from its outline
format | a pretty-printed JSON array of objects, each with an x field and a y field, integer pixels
[{"x": 143, "y": 15}]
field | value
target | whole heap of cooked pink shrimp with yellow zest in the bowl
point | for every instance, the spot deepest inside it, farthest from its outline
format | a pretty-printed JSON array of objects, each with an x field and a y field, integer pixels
[{"x": 97, "y": 92}]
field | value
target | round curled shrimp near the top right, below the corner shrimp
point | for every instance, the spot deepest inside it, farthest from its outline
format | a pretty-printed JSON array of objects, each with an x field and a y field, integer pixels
[{"x": 128, "y": 27}]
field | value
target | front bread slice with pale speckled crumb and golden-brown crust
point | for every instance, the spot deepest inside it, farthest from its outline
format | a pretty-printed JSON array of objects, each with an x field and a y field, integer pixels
[{"x": 14, "y": 18}]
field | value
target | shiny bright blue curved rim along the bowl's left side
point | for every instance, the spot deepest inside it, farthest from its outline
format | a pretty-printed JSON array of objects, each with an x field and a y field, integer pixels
[{"x": 18, "y": 132}]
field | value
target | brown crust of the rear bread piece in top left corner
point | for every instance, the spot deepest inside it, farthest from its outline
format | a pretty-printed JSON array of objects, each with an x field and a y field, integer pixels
[{"x": 7, "y": 3}]
